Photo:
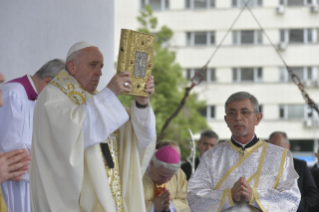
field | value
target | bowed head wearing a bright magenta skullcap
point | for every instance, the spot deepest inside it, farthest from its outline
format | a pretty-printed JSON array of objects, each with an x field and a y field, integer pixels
[{"x": 164, "y": 164}]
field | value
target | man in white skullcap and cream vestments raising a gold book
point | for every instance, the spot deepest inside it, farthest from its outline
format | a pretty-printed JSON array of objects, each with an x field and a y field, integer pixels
[{"x": 71, "y": 169}]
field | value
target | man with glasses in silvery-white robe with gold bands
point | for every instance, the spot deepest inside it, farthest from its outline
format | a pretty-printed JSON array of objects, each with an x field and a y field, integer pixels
[{"x": 244, "y": 173}]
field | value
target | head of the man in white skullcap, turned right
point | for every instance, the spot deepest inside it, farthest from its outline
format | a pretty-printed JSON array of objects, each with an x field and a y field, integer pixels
[{"x": 85, "y": 62}]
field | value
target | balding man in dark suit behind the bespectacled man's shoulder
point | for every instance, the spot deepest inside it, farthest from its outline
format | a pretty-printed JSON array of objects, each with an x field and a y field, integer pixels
[{"x": 307, "y": 187}]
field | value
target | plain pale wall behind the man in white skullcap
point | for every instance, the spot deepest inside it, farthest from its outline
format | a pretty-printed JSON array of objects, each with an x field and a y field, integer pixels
[{"x": 35, "y": 31}]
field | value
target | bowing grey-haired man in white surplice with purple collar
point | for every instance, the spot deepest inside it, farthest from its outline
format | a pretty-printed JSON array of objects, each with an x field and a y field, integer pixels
[{"x": 16, "y": 117}]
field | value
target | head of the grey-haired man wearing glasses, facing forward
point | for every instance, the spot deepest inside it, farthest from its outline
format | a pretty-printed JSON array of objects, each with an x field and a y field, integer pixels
[{"x": 242, "y": 115}]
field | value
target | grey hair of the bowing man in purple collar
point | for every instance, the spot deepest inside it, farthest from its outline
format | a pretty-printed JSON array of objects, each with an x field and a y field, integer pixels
[{"x": 50, "y": 69}]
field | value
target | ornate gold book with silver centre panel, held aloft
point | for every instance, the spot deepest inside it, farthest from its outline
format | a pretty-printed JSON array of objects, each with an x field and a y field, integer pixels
[{"x": 136, "y": 56}]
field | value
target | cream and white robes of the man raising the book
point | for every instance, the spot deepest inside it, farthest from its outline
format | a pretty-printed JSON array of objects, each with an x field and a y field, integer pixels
[{"x": 67, "y": 173}]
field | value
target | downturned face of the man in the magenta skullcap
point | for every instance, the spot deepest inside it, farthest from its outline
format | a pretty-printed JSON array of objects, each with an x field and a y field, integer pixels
[{"x": 160, "y": 175}]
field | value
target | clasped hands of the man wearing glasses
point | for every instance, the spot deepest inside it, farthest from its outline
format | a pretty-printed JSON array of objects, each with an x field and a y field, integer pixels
[{"x": 241, "y": 191}]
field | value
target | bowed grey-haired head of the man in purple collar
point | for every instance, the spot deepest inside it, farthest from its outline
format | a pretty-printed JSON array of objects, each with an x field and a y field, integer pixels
[{"x": 46, "y": 73}]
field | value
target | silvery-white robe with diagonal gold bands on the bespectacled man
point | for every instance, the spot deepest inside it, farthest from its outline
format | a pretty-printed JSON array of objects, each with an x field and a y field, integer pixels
[{"x": 268, "y": 169}]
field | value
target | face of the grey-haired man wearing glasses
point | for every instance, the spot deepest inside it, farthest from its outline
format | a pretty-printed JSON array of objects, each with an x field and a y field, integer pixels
[{"x": 241, "y": 119}]
